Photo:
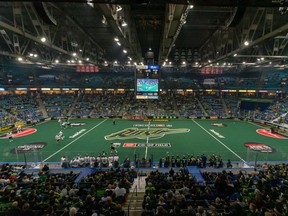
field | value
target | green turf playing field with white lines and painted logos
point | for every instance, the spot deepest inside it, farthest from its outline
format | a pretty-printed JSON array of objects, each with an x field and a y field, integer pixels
[{"x": 174, "y": 137}]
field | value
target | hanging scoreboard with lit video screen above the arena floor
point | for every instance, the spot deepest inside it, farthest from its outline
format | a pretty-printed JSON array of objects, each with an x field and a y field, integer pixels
[{"x": 147, "y": 81}]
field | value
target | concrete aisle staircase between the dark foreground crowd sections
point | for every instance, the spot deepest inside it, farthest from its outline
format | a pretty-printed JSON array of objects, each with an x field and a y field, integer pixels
[{"x": 133, "y": 205}]
